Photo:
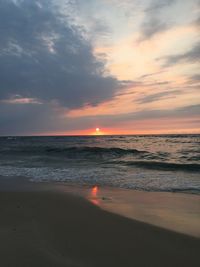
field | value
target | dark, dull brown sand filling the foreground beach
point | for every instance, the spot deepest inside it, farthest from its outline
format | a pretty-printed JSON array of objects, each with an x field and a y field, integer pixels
[{"x": 46, "y": 228}]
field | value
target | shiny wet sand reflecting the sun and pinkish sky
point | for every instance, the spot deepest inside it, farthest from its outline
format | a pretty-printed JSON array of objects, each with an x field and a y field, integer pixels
[{"x": 178, "y": 212}]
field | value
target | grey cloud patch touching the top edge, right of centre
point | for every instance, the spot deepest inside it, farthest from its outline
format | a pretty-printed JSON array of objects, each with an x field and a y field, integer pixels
[{"x": 153, "y": 24}]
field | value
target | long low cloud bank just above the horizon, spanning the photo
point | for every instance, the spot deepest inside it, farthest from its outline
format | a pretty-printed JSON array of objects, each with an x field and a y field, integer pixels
[{"x": 19, "y": 119}]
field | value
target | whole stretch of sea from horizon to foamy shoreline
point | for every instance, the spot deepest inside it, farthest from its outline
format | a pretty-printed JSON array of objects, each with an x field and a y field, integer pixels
[{"x": 150, "y": 163}]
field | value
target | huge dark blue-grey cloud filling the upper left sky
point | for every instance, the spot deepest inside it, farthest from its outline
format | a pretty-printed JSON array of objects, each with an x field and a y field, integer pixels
[{"x": 43, "y": 56}]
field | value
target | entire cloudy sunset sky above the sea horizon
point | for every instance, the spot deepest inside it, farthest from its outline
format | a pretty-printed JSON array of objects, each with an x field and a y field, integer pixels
[{"x": 126, "y": 67}]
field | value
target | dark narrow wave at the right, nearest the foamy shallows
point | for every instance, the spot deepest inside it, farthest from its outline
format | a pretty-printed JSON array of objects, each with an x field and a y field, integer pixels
[{"x": 168, "y": 166}]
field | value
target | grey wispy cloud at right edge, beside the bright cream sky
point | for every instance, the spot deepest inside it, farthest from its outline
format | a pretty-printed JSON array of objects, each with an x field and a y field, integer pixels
[{"x": 191, "y": 56}]
